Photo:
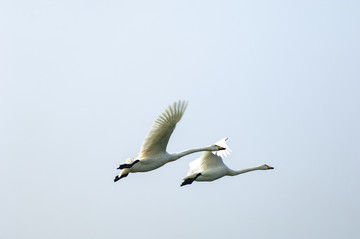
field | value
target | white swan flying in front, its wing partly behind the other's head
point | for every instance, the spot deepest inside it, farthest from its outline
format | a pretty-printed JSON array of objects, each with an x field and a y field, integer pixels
[{"x": 210, "y": 167}]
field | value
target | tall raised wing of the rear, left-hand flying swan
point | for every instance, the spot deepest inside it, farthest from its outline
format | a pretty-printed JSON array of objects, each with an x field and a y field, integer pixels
[{"x": 160, "y": 132}]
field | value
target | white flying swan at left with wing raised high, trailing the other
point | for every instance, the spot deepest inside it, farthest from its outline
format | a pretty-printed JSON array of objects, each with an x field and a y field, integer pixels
[{"x": 153, "y": 150}]
